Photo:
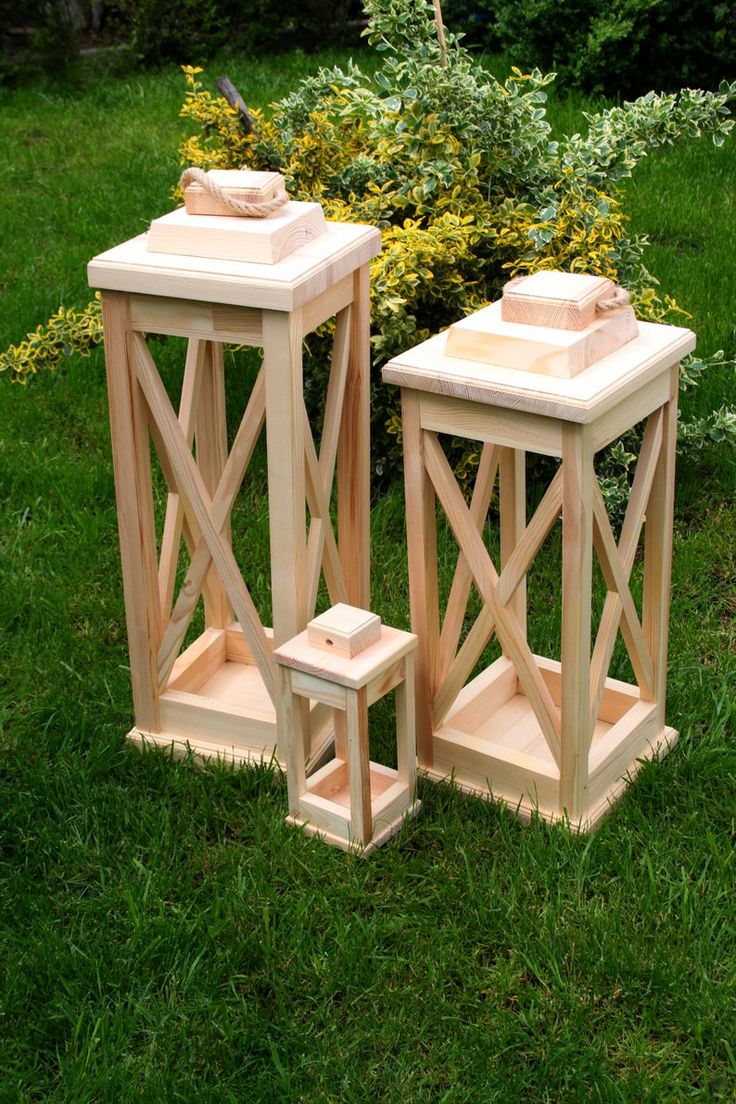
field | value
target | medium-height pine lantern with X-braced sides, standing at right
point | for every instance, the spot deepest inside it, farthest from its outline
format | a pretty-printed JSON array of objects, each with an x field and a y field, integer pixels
[{"x": 560, "y": 368}]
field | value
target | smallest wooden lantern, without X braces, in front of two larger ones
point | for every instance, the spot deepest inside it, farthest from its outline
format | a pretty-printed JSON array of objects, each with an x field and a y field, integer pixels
[{"x": 348, "y": 661}]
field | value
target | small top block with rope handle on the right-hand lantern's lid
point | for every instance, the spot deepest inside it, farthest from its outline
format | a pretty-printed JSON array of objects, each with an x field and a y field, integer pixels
[{"x": 562, "y": 301}]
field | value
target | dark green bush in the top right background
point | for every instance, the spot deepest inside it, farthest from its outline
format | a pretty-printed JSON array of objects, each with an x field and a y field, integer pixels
[{"x": 617, "y": 47}]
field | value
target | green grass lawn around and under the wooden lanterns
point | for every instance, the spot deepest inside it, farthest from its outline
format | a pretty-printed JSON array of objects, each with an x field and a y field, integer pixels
[{"x": 165, "y": 937}]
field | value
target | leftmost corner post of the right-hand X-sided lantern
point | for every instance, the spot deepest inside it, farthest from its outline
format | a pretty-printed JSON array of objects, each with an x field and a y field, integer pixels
[{"x": 422, "y": 551}]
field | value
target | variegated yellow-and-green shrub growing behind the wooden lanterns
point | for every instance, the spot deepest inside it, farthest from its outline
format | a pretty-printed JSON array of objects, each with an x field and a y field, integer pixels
[{"x": 461, "y": 173}]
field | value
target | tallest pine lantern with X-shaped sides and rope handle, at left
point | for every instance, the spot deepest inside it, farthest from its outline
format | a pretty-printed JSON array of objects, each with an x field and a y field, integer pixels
[{"x": 215, "y": 279}]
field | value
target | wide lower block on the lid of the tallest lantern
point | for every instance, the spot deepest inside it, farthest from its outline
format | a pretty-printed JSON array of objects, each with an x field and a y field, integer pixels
[{"x": 220, "y": 238}]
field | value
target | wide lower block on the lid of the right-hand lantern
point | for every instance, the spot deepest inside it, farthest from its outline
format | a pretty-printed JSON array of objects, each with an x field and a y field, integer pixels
[{"x": 487, "y": 338}]
